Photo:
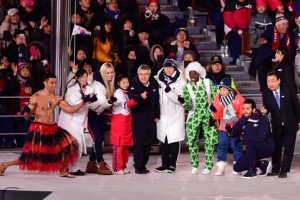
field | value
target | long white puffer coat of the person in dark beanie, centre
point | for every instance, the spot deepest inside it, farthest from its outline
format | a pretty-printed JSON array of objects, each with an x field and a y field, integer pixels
[{"x": 172, "y": 115}]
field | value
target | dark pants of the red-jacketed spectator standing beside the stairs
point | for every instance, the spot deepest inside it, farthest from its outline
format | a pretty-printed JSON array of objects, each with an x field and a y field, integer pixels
[{"x": 235, "y": 45}]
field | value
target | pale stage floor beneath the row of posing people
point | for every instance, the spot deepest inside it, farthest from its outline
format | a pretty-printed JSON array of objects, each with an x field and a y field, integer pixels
[{"x": 181, "y": 185}]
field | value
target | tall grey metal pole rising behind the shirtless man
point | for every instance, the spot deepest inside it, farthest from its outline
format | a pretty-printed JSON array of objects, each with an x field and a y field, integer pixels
[{"x": 59, "y": 42}]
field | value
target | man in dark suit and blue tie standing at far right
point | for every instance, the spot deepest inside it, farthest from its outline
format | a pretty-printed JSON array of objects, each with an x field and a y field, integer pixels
[{"x": 282, "y": 102}]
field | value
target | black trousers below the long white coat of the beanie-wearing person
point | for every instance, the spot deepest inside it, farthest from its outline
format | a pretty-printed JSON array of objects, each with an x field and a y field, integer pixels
[{"x": 170, "y": 153}]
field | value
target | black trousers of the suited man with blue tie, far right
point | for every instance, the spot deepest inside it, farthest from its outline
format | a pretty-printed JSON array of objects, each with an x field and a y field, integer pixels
[{"x": 288, "y": 140}]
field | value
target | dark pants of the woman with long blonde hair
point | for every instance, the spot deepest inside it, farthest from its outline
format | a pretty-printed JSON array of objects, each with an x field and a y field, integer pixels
[{"x": 96, "y": 126}]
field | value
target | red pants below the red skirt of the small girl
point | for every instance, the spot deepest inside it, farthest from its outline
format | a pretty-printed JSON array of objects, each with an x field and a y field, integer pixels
[{"x": 120, "y": 157}]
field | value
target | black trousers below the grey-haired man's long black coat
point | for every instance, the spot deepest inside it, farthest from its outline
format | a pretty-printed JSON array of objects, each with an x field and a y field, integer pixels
[{"x": 141, "y": 155}]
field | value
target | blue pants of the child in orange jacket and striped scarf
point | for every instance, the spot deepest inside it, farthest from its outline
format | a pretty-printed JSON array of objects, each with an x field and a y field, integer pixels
[{"x": 223, "y": 145}]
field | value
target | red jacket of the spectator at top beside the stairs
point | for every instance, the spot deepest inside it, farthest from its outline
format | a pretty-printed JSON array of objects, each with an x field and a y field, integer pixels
[{"x": 237, "y": 15}]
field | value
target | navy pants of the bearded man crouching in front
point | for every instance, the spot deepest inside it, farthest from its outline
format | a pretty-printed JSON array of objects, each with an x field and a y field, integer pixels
[{"x": 255, "y": 151}]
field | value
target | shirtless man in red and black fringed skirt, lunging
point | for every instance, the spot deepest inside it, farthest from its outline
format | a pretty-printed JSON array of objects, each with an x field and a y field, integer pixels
[{"x": 48, "y": 147}]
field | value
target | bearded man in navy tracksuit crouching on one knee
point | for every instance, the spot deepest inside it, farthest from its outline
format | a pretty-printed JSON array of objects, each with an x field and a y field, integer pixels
[{"x": 253, "y": 129}]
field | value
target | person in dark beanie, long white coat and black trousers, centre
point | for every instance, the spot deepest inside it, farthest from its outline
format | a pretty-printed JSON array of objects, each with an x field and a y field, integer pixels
[{"x": 171, "y": 126}]
